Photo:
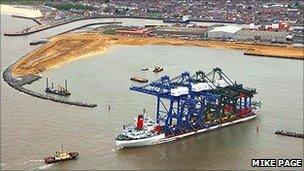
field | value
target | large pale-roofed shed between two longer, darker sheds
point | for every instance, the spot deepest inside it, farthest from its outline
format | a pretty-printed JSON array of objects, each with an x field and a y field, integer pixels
[{"x": 223, "y": 32}]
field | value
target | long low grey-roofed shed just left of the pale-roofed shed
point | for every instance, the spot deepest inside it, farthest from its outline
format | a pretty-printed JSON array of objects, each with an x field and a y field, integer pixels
[{"x": 182, "y": 31}]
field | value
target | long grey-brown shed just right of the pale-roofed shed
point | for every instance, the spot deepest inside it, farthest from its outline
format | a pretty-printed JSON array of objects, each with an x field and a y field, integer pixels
[{"x": 264, "y": 36}]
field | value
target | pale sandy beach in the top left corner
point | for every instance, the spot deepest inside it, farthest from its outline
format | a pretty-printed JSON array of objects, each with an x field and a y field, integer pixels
[{"x": 20, "y": 10}]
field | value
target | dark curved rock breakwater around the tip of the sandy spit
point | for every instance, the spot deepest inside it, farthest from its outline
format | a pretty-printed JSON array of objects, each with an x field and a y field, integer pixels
[{"x": 18, "y": 83}]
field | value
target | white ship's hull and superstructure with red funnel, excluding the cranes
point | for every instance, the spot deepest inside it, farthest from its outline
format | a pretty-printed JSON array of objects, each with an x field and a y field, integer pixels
[{"x": 146, "y": 132}]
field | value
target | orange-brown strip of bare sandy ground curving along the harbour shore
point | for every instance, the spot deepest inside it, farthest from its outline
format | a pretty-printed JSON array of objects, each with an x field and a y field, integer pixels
[{"x": 67, "y": 47}]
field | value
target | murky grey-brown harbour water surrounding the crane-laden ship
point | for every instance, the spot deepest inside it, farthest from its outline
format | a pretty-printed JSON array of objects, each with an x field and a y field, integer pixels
[{"x": 32, "y": 128}]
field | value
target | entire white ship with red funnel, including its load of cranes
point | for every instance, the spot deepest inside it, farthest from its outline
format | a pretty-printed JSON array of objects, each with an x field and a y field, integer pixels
[{"x": 197, "y": 103}]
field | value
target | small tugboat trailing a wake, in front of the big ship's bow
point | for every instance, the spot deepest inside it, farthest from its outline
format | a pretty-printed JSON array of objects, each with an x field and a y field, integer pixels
[{"x": 61, "y": 155}]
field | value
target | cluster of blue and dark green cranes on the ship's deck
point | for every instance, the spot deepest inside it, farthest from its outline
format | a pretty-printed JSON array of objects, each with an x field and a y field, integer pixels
[{"x": 186, "y": 103}]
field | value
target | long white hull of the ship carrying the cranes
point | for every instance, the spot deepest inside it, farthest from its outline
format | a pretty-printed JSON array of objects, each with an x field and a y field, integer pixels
[{"x": 160, "y": 139}]
